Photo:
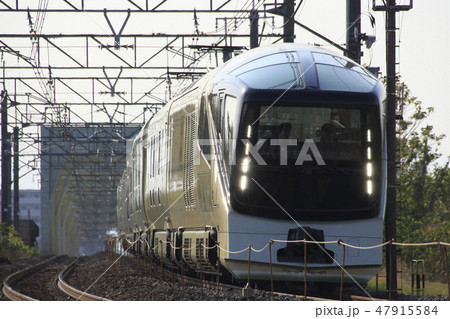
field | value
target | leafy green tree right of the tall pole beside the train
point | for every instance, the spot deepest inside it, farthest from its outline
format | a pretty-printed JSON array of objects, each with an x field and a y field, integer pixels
[{"x": 423, "y": 186}]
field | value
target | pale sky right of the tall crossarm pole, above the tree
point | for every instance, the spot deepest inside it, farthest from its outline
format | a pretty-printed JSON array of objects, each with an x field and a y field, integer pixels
[{"x": 424, "y": 61}]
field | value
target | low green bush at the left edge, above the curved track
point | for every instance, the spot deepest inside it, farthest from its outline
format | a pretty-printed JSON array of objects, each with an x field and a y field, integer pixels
[{"x": 12, "y": 246}]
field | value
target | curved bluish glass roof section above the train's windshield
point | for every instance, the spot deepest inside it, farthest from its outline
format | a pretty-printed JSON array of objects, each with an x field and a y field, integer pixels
[{"x": 294, "y": 66}]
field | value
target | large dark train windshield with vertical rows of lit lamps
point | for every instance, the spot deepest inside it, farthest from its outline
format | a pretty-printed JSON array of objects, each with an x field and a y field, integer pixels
[{"x": 312, "y": 162}]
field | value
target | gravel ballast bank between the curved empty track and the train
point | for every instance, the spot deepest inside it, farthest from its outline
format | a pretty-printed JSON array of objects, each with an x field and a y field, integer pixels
[{"x": 134, "y": 278}]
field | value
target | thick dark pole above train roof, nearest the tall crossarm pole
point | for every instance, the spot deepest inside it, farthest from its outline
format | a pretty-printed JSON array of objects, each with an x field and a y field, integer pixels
[{"x": 354, "y": 30}]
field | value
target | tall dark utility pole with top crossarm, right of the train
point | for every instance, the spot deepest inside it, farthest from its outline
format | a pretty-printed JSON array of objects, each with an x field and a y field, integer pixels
[{"x": 391, "y": 8}]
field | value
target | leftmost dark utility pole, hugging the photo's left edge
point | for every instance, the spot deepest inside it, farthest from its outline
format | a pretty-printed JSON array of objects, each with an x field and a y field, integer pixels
[{"x": 6, "y": 162}]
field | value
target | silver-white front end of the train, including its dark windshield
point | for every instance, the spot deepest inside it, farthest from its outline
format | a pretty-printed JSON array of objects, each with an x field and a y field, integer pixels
[{"x": 308, "y": 163}]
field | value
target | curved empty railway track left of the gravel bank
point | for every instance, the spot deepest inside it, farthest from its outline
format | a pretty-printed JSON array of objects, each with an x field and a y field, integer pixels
[{"x": 30, "y": 285}]
